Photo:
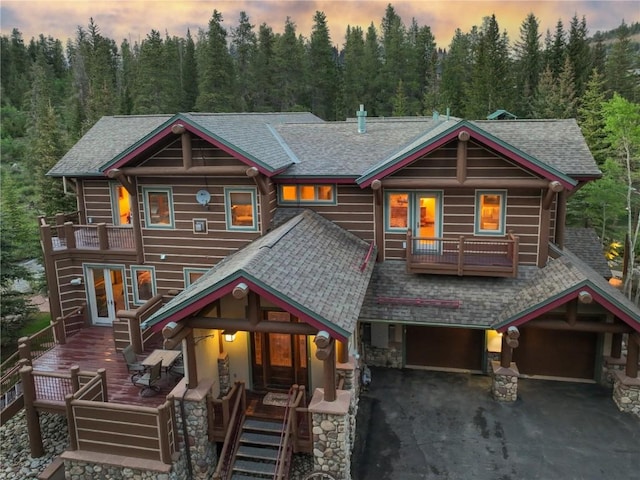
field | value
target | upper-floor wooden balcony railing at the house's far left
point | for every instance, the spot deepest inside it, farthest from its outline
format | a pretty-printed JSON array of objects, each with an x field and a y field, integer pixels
[{"x": 65, "y": 235}]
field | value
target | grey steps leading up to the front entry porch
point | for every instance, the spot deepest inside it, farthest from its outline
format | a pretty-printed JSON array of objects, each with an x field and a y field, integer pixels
[{"x": 257, "y": 453}]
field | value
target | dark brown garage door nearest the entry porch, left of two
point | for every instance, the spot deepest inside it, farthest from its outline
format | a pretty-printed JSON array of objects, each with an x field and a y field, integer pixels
[{"x": 445, "y": 347}]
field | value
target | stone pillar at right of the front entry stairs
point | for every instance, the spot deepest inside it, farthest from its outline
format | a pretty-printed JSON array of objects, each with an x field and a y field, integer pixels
[{"x": 332, "y": 434}]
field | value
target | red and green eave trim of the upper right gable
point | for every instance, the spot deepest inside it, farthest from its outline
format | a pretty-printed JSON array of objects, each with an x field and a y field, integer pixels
[{"x": 392, "y": 165}]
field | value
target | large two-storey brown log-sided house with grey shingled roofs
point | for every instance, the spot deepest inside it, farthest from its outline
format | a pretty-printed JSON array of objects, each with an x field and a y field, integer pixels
[{"x": 290, "y": 250}]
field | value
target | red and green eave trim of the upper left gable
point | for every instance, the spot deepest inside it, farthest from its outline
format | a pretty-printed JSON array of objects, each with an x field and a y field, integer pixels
[{"x": 164, "y": 131}]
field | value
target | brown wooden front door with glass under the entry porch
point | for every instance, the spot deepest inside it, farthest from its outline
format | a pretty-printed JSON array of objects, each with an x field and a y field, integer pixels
[{"x": 278, "y": 360}]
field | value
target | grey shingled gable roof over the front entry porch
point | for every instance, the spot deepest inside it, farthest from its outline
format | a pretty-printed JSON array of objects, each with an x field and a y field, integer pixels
[{"x": 309, "y": 263}]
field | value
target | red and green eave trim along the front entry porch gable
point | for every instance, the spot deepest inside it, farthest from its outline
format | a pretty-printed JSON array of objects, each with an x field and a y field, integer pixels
[{"x": 192, "y": 305}]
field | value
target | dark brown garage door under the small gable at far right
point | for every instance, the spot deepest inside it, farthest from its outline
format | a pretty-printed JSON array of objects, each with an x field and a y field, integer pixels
[{"x": 556, "y": 353}]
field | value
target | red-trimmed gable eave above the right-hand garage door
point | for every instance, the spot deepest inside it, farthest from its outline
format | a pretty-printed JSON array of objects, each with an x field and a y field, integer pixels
[{"x": 599, "y": 296}]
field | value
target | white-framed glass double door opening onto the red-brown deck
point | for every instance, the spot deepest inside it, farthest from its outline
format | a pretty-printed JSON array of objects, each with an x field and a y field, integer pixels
[{"x": 105, "y": 293}]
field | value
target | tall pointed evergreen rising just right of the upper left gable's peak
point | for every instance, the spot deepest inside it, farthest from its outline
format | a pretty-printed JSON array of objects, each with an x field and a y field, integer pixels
[{"x": 215, "y": 69}]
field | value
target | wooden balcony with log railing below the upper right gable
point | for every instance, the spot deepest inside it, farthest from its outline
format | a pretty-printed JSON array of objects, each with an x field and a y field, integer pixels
[{"x": 493, "y": 257}]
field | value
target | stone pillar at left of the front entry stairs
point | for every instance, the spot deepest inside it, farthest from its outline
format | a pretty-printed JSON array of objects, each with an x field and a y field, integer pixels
[{"x": 203, "y": 453}]
